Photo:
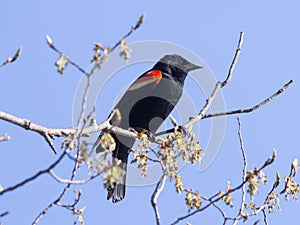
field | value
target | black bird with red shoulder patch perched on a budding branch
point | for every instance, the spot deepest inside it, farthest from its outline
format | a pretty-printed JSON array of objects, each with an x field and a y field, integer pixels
[{"x": 145, "y": 105}]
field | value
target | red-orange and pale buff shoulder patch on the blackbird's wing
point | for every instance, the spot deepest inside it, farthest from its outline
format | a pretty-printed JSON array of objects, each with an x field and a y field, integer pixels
[{"x": 153, "y": 76}]
